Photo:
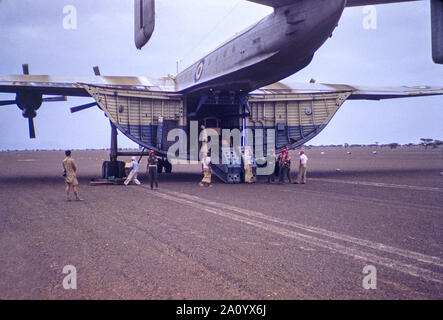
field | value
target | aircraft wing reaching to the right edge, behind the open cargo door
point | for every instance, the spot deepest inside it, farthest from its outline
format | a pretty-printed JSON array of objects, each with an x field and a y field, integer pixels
[{"x": 357, "y": 92}]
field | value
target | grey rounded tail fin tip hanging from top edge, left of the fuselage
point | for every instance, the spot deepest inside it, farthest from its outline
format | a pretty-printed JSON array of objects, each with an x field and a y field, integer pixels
[{"x": 144, "y": 21}]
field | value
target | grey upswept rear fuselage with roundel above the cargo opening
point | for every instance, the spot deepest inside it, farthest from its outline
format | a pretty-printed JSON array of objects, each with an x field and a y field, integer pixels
[{"x": 279, "y": 45}]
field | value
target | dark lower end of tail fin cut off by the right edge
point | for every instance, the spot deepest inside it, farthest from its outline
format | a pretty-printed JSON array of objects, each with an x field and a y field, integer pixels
[{"x": 437, "y": 30}]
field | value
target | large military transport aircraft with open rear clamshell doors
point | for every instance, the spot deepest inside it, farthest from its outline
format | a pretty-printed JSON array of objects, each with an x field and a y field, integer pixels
[{"x": 236, "y": 86}]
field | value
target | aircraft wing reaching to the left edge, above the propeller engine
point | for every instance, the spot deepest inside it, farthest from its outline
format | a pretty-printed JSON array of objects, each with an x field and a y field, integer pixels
[{"x": 71, "y": 86}]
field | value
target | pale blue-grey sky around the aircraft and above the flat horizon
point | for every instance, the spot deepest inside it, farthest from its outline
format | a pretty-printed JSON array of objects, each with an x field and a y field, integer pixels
[{"x": 397, "y": 52}]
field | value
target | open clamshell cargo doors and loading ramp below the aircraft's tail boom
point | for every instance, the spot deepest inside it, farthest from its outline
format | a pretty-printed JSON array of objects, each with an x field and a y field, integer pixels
[{"x": 149, "y": 117}]
